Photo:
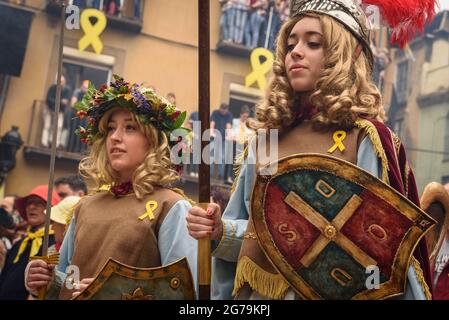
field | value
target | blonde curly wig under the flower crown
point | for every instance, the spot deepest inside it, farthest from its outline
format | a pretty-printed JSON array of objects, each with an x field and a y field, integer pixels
[{"x": 155, "y": 170}]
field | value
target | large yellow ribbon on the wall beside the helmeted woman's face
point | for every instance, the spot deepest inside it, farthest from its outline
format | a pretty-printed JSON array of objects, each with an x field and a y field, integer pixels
[{"x": 259, "y": 69}]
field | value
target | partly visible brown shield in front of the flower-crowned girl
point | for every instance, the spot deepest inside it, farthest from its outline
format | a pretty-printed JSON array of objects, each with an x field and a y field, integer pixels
[{"x": 117, "y": 281}]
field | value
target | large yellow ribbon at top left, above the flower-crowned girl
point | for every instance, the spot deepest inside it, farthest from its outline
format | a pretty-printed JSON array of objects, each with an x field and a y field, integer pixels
[{"x": 92, "y": 31}]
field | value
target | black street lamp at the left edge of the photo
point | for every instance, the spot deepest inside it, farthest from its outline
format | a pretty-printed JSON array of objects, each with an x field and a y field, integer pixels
[{"x": 9, "y": 144}]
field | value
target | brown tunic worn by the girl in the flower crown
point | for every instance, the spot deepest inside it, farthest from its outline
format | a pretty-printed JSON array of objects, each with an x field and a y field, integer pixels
[{"x": 109, "y": 227}]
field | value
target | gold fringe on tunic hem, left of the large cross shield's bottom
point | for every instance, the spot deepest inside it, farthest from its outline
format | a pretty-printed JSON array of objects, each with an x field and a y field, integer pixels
[{"x": 272, "y": 286}]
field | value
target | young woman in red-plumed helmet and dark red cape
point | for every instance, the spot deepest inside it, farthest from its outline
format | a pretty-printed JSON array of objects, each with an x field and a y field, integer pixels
[{"x": 321, "y": 86}]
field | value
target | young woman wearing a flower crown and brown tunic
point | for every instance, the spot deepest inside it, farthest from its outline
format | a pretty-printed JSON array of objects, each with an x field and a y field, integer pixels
[{"x": 135, "y": 217}]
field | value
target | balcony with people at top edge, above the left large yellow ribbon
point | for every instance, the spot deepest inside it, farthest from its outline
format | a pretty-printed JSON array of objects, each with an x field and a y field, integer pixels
[{"x": 126, "y": 17}]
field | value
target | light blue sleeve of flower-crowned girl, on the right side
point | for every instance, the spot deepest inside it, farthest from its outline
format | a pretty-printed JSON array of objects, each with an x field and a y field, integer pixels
[{"x": 174, "y": 240}]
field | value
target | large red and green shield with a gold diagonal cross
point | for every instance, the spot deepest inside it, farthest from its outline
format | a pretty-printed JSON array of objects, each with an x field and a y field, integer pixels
[{"x": 335, "y": 231}]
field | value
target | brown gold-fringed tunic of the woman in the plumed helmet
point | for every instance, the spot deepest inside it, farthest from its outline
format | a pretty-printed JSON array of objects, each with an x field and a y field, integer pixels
[{"x": 305, "y": 138}]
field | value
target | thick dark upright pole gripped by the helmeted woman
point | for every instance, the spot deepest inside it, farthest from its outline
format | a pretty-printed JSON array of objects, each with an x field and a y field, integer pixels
[{"x": 204, "y": 245}]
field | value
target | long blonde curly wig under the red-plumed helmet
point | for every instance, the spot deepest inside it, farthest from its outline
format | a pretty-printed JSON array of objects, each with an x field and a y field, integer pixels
[{"x": 343, "y": 92}]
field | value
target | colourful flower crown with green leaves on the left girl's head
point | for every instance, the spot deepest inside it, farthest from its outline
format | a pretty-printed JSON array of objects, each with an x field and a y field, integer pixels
[{"x": 144, "y": 102}]
